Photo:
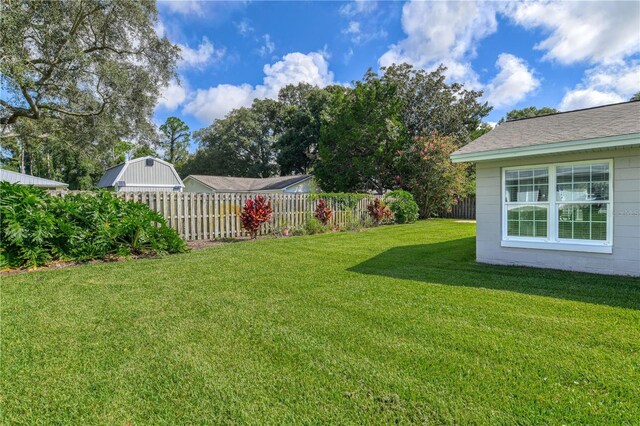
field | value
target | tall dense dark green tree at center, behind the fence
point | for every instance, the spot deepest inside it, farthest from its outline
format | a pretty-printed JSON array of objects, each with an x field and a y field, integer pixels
[{"x": 360, "y": 136}]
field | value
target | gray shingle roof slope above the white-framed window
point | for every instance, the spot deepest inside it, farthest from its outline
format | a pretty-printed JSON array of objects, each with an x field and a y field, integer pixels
[{"x": 591, "y": 123}]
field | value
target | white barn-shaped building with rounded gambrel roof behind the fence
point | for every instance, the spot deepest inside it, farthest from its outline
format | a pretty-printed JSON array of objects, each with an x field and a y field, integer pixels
[{"x": 142, "y": 174}]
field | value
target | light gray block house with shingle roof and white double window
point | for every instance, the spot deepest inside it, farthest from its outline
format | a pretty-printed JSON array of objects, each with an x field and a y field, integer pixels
[{"x": 560, "y": 191}]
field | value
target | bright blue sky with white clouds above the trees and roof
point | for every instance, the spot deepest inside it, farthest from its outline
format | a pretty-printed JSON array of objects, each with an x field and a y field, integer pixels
[{"x": 565, "y": 55}]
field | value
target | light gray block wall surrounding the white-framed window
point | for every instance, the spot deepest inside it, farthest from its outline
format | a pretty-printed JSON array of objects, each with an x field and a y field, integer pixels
[{"x": 625, "y": 258}]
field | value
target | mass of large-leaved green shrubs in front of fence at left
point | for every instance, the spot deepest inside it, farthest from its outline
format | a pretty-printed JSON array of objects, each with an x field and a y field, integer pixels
[{"x": 38, "y": 228}]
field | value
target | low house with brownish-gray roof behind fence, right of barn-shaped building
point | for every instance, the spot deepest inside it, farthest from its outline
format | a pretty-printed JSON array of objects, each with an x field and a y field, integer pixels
[{"x": 282, "y": 184}]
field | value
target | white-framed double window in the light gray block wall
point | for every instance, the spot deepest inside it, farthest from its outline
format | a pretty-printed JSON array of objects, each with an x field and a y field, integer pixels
[{"x": 563, "y": 206}]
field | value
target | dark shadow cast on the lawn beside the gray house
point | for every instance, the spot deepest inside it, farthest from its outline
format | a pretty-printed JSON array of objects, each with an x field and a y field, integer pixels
[{"x": 453, "y": 263}]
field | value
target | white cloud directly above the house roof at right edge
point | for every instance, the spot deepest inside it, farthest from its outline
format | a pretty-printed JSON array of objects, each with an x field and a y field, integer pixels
[{"x": 604, "y": 84}]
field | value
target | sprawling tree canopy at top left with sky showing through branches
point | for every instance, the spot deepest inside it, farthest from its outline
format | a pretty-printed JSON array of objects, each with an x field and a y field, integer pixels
[{"x": 82, "y": 59}]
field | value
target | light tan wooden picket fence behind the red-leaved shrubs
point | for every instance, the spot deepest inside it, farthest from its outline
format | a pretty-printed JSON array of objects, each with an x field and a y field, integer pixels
[{"x": 204, "y": 216}]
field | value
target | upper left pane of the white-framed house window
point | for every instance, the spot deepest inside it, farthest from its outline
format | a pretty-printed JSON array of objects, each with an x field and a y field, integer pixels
[{"x": 527, "y": 185}]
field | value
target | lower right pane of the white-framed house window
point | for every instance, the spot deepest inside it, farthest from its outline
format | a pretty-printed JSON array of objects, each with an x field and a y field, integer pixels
[{"x": 582, "y": 221}]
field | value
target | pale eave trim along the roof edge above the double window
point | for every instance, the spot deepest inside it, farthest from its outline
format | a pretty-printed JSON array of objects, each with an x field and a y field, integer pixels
[{"x": 555, "y": 148}]
